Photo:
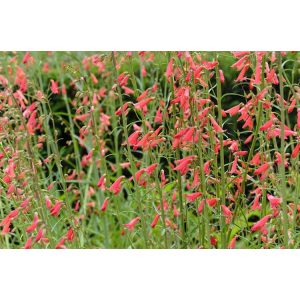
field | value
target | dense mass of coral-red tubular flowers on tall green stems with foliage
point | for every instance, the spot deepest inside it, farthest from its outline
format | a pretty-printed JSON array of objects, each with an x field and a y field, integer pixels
[{"x": 149, "y": 150}]
